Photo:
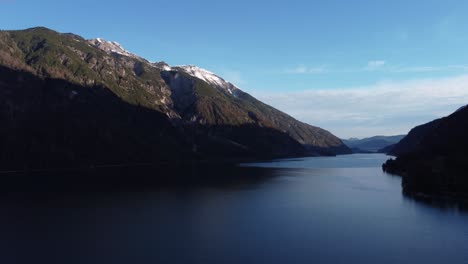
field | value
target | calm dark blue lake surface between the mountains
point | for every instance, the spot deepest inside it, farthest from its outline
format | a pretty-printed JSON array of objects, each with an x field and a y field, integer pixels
[{"x": 309, "y": 210}]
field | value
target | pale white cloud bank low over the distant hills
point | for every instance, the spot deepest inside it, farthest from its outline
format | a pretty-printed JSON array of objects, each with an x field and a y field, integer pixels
[{"x": 384, "y": 108}]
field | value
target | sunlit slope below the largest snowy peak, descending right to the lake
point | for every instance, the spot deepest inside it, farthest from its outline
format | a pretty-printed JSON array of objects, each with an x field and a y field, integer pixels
[{"x": 195, "y": 99}]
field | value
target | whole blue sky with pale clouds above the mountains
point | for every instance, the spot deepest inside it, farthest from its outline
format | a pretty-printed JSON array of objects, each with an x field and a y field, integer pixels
[{"x": 356, "y": 68}]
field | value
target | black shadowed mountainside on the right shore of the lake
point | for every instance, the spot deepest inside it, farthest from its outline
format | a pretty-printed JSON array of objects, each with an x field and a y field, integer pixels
[{"x": 433, "y": 158}]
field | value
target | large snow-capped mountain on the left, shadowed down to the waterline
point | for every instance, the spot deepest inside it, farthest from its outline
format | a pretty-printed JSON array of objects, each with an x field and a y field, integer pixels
[{"x": 66, "y": 101}]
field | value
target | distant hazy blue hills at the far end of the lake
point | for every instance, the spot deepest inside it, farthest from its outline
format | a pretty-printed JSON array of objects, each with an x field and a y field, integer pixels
[{"x": 371, "y": 144}]
